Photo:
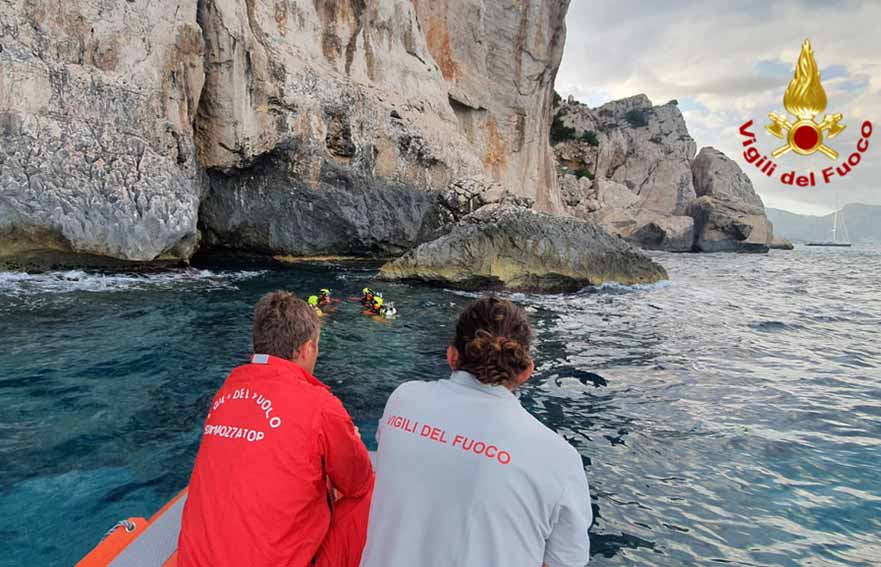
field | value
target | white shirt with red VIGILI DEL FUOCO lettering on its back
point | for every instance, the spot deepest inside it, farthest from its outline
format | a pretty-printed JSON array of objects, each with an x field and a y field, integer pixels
[{"x": 466, "y": 477}]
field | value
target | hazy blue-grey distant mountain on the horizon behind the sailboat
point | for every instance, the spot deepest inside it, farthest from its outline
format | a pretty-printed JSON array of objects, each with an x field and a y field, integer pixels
[{"x": 863, "y": 224}]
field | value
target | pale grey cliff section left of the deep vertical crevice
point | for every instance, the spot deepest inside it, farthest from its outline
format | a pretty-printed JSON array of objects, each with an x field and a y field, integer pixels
[{"x": 97, "y": 102}]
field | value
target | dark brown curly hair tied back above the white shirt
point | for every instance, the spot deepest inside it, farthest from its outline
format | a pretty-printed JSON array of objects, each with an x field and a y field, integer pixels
[{"x": 493, "y": 337}]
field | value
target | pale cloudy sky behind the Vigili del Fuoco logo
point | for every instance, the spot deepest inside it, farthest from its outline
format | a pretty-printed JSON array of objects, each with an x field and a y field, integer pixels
[{"x": 726, "y": 62}]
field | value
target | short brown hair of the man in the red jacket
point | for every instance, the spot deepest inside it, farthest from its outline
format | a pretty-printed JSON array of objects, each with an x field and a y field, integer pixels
[{"x": 282, "y": 324}]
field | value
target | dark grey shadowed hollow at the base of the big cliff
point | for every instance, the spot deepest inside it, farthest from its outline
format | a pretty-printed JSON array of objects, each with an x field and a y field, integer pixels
[{"x": 272, "y": 208}]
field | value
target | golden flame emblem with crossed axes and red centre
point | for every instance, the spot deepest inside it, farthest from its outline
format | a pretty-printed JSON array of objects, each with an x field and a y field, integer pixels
[{"x": 805, "y": 99}]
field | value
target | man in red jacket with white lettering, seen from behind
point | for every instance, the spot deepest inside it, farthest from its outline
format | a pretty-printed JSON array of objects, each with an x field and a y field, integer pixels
[{"x": 275, "y": 439}]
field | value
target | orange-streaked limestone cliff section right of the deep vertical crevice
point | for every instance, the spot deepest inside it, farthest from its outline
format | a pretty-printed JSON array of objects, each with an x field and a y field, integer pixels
[{"x": 348, "y": 126}]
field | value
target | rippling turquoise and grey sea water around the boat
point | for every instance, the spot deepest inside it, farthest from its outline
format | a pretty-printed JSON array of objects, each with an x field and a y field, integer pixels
[{"x": 731, "y": 415}]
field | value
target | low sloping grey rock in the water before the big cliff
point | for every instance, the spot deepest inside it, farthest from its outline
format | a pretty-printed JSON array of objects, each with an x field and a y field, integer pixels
[{"x": 526, "y": 250}]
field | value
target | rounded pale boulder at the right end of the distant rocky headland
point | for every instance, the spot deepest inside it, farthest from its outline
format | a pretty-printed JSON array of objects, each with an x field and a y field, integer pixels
[{"x": 728, "y": 214}]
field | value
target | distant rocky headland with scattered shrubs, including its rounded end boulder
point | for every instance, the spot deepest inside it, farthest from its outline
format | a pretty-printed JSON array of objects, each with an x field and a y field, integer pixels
[{"x": 631, "y": 167}]
